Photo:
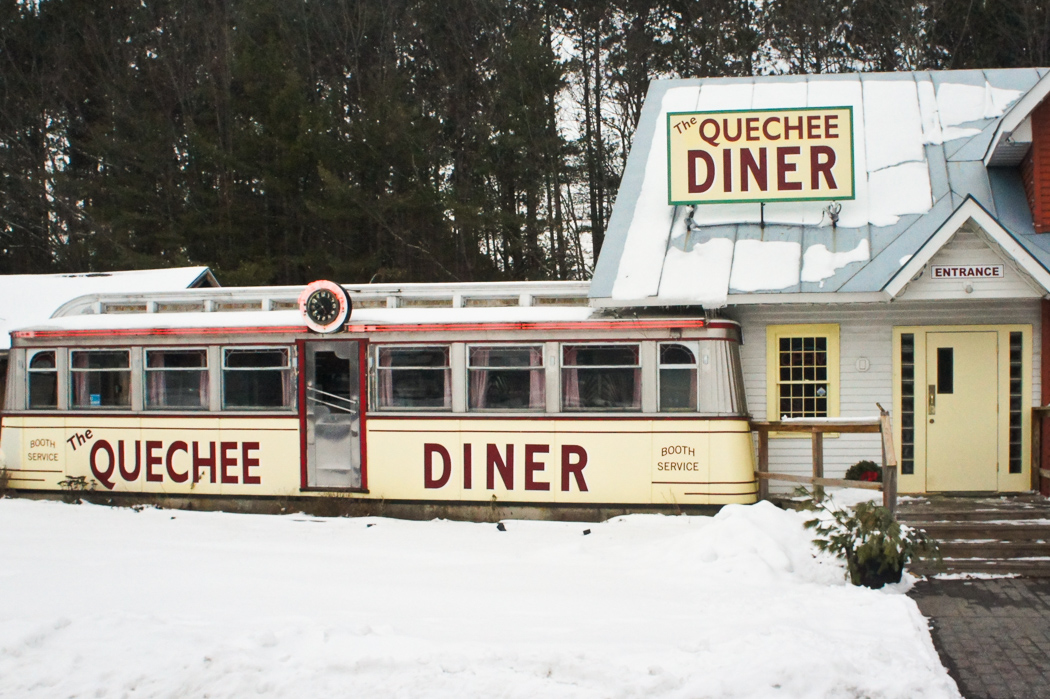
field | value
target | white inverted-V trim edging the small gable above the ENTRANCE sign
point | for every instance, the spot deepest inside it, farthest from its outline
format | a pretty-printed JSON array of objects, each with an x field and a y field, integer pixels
[{"x": 991, "y": 228}]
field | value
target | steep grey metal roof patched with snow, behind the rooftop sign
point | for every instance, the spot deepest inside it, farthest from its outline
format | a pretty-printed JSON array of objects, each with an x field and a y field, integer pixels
[{"x": 920, "y": 142}]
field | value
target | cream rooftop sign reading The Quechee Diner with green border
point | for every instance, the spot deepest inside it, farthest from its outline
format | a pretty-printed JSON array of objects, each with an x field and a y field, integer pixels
[{"x": 761, "y": 156}]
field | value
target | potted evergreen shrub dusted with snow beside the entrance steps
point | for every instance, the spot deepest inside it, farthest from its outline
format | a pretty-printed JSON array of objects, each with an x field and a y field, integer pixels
[{"x": 875, "y": 546}]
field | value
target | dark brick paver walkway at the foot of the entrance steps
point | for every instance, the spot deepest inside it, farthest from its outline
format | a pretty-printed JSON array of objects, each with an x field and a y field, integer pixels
[{"x": 994, "y": 637}]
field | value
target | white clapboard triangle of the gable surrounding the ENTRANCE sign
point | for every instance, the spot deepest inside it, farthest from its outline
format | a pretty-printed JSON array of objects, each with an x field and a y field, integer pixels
[{"x": 968, "y": 248}]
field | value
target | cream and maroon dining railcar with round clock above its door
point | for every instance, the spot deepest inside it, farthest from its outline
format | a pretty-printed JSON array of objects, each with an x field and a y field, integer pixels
[{"x": 451, "y": 394}]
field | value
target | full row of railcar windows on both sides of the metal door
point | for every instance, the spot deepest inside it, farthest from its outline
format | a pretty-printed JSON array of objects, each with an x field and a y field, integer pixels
[{"x": 597, "y": 377}]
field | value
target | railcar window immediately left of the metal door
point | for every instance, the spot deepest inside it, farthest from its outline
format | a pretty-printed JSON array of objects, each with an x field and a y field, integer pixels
[{"x": 258, "y": 378}]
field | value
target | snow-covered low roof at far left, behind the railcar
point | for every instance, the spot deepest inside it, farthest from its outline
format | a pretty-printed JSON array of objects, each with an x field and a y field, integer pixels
[{"x": 30, "y": 300}]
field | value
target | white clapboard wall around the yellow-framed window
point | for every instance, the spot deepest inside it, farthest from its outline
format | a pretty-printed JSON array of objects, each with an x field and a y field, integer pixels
[{"x": 866, "y": 330}]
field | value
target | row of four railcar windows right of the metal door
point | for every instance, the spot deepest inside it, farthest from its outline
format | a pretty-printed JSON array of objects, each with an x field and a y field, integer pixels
[{"x": 587, "y": 377}]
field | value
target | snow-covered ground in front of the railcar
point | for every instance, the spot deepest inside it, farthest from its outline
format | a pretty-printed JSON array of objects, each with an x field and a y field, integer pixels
[{"x": 113, "y": 603}]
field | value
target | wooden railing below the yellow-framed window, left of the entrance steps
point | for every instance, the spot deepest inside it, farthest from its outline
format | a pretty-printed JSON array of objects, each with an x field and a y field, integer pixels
[{"x": 817, "y": 430}]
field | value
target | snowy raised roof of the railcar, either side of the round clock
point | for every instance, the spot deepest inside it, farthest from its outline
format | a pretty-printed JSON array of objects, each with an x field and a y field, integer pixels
[{"x": 377, "y": 308}]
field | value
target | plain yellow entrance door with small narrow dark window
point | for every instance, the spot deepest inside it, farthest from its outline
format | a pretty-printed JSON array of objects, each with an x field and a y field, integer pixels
[{"x": 962, "y": 411}]
